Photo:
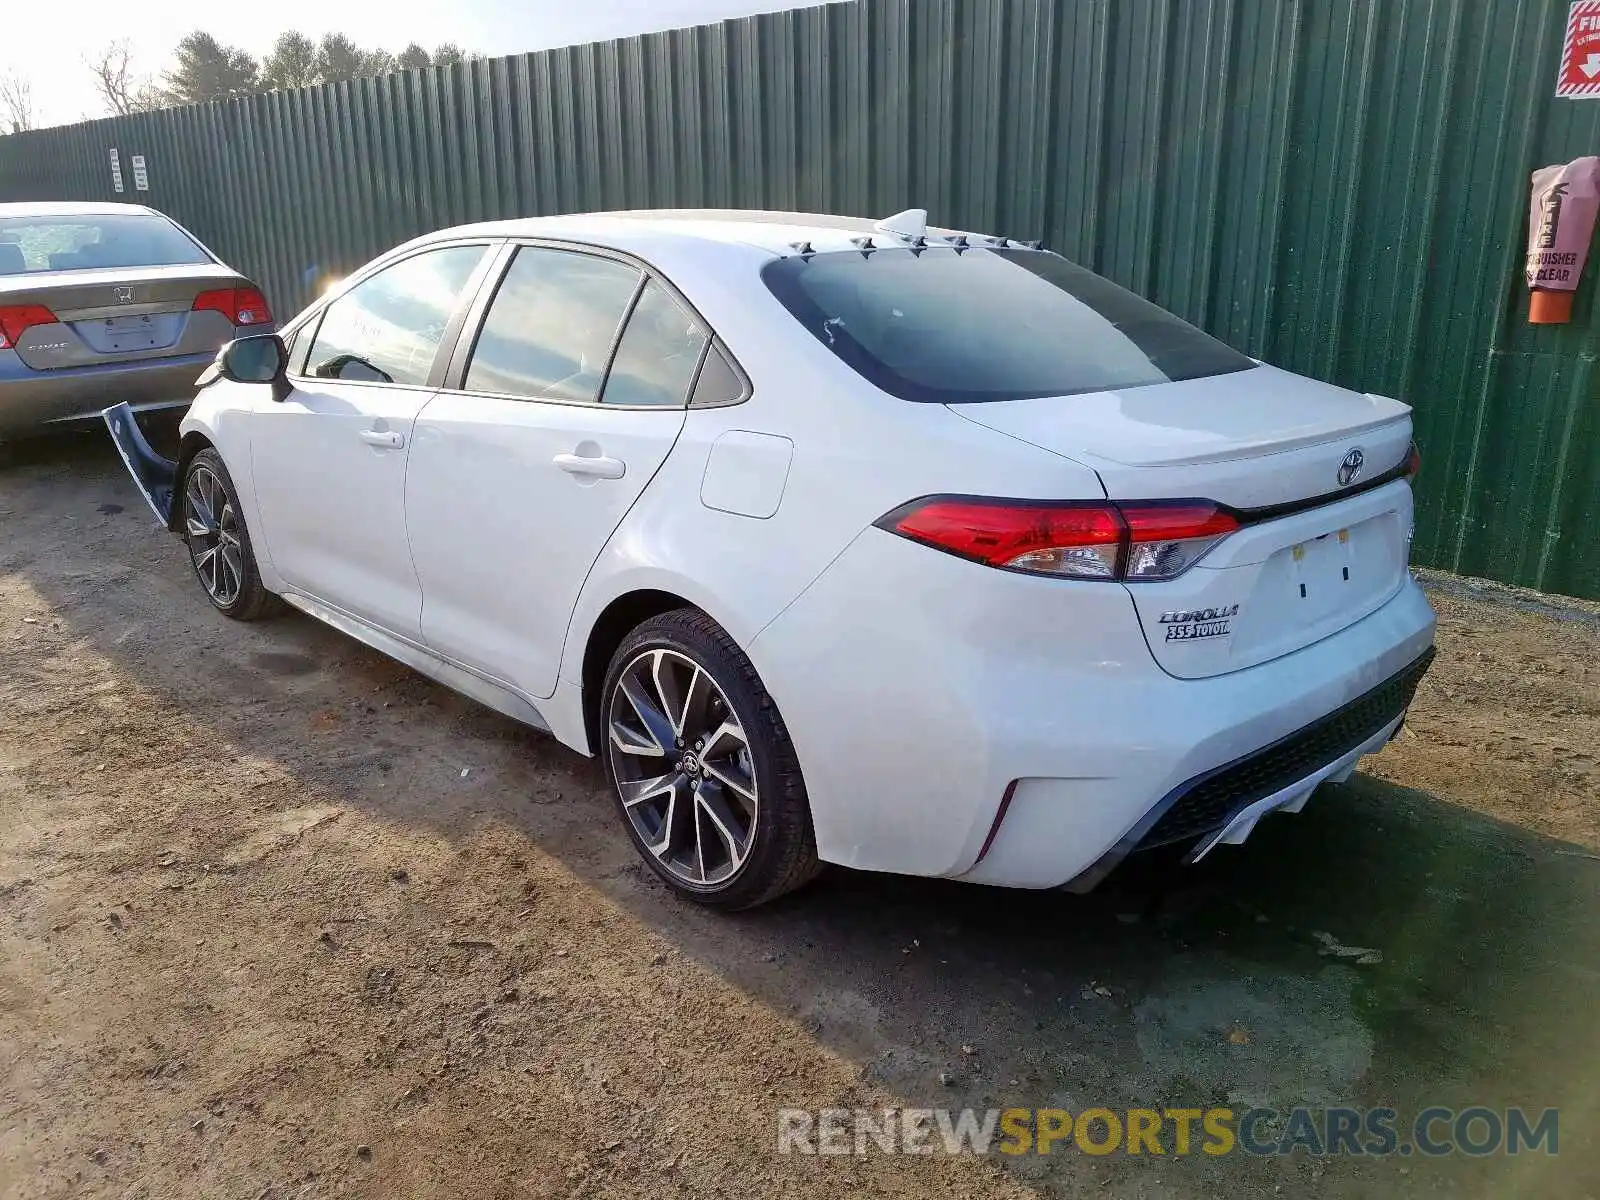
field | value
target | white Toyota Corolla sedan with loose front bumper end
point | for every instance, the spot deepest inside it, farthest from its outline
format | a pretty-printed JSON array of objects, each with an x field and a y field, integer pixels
[{"x": 838, "y": 542}]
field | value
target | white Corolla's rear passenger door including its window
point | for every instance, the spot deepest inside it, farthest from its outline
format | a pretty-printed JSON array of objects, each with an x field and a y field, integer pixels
[{"x": 567, "y": 401}]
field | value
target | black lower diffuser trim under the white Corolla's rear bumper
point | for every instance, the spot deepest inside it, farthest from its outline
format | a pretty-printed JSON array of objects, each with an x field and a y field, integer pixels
[{"x": 1220, "y": 801}]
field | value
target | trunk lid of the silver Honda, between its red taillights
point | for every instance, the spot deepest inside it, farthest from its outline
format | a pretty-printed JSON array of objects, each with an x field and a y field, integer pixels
[{"x": 119, "y": 314}]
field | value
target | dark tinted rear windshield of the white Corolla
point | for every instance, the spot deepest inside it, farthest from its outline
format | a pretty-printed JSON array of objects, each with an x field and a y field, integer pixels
[{"x": 946, "y": 326}]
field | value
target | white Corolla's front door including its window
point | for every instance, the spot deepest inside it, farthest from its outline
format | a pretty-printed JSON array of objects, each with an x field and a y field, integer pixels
[{"x": 330, "y": 460}]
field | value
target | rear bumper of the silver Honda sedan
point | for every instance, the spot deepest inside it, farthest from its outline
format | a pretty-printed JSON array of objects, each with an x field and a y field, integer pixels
[{"x": 33, "y": 401}]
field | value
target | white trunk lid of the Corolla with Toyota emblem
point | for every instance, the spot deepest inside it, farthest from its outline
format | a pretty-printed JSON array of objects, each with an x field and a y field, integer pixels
[{"x": 1318, "y": 551}]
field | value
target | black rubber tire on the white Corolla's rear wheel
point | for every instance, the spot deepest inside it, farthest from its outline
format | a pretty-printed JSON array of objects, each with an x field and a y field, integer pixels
[{"x": 782, "y": 844}]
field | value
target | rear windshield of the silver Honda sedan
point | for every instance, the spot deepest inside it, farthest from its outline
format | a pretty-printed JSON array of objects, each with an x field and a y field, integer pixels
[{"x": 34, "y": 244}]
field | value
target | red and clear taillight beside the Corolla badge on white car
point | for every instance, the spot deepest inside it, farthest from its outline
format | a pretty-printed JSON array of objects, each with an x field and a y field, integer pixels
[{"x": 1094, "y": 540}]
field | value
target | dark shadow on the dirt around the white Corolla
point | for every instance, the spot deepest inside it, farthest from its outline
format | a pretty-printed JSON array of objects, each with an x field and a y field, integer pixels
[{"x": 1170, "y": 986}]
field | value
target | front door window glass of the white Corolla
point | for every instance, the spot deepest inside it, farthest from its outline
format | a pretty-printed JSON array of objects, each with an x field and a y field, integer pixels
[{"x": 388, "y": 329}]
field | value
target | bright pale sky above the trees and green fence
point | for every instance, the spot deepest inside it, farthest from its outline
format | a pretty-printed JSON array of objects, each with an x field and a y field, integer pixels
[{"x": 52, "y": 50}]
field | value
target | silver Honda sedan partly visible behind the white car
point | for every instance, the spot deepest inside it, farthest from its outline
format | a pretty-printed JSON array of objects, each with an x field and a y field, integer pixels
[{"x": 106, "y": 303}]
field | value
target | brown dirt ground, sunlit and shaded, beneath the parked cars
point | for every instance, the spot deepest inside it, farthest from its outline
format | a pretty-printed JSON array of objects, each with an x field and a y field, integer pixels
[{"x": 282, "y": 919}]
